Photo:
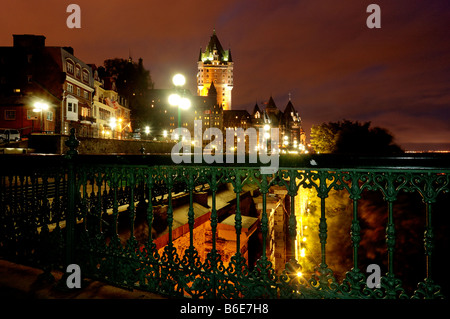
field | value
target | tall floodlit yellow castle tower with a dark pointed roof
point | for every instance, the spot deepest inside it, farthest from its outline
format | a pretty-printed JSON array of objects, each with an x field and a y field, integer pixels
[{"x": 215, "y": 65}]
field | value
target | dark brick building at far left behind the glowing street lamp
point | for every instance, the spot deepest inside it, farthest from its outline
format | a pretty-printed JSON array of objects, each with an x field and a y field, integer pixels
[{"x": 31, "y": 73}]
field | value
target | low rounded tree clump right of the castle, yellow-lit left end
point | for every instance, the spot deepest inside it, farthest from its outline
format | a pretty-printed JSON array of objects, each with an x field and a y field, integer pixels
[{"x": 347, "y": 137}]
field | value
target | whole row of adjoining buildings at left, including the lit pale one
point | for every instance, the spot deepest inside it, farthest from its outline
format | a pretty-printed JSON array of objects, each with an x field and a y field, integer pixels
[{"x": 68, "y": 91}]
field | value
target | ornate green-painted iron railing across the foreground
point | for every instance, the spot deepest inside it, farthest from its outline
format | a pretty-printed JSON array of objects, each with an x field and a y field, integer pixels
[{"x": 59, "y": 210}]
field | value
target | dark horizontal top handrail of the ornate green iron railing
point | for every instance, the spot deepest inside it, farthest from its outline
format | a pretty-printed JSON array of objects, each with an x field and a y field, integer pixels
[{"x": 429, "y": 162}]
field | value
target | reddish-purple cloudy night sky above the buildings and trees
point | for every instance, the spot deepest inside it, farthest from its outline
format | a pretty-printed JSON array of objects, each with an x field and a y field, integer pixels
[{"x": 321, "y": 52}]
